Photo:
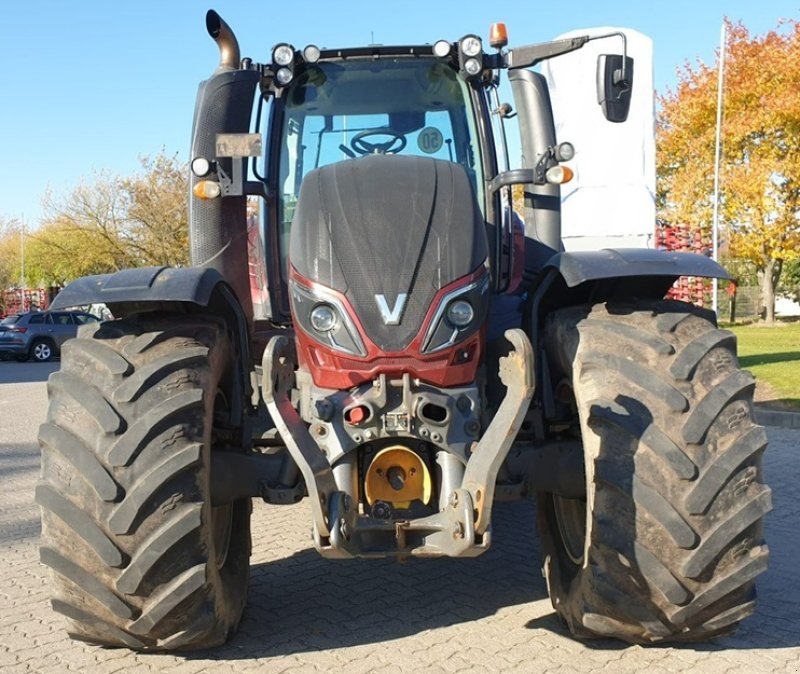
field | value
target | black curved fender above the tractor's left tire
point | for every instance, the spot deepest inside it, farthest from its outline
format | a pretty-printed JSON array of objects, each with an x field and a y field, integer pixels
[{"x": 189, "y": 289}]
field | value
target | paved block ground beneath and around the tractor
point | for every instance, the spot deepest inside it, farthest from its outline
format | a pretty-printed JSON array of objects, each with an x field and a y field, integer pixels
[{"x": 305, "y": 614}]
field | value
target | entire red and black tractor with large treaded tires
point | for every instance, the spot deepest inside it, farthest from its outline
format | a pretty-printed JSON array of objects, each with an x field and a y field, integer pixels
[{"x": 420, "y": 353}]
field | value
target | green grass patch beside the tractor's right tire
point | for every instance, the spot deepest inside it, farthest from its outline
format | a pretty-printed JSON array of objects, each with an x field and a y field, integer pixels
[{"x": 772, "y": 354}]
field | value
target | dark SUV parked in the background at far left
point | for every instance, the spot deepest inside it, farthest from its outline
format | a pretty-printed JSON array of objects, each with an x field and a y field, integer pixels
[{"x": 39, "y": 334}]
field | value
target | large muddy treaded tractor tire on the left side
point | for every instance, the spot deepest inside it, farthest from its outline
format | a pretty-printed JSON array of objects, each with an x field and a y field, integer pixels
[{"x": 140, "y": 558}]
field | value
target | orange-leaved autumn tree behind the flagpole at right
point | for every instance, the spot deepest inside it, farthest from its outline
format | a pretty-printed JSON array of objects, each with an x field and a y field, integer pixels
[{"x": 760, "y": 167}]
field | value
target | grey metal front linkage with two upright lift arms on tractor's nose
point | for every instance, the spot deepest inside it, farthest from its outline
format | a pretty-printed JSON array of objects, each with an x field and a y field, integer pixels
[{"x": 460, "y": 528}]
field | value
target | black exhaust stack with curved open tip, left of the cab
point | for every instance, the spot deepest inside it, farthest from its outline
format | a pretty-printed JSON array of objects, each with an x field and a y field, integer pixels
[{"x": 218, "y": 227}]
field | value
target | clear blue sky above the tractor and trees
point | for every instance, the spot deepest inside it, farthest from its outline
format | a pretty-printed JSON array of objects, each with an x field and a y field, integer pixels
[{"x": 89, "y": 86}]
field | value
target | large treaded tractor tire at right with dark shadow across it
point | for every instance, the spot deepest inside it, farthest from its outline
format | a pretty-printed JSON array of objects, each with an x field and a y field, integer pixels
[{"x": 668, "y": 542}]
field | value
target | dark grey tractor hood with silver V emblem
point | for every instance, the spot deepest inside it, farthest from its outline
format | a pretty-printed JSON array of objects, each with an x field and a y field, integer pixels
[{"x": 388, "y": 232}]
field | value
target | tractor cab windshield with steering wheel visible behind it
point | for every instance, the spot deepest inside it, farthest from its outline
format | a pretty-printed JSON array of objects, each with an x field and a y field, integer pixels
[{"x": 340, "y": 111}]
